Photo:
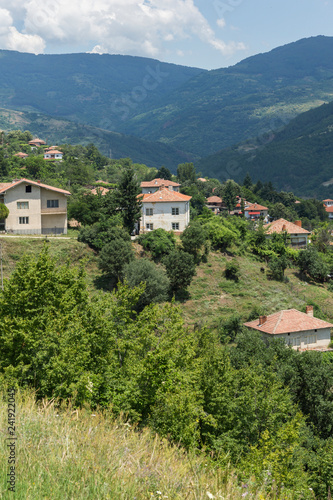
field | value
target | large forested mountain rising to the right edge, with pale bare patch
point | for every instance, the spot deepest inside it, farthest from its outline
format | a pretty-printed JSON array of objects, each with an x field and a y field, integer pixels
[{"x": 219, "y": 108}]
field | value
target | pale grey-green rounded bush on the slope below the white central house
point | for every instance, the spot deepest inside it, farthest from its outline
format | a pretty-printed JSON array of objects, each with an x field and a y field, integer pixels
[{"x": 154, "y": 277}]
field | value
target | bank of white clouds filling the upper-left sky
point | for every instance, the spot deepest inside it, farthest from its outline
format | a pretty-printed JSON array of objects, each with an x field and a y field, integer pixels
[{"x": 137, "y": 27}]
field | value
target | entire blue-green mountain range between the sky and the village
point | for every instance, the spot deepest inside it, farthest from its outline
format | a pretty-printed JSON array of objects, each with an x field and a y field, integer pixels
[{"x": 161, "y": 113}]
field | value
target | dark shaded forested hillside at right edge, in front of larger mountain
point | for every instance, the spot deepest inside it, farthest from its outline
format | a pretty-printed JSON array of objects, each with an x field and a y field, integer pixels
[{"x": 298, "y": 158}]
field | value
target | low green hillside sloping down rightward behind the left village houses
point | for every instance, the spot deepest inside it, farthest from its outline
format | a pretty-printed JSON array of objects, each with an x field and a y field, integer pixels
[{"x": 116, "y": 145}]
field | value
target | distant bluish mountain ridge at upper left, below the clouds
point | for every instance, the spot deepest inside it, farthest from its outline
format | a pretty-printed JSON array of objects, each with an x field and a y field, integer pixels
[{"x": 99, "y": 90}]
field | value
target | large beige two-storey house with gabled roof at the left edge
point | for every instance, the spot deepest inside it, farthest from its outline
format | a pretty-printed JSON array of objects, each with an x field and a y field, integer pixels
[{"x": 34, "y": 208}]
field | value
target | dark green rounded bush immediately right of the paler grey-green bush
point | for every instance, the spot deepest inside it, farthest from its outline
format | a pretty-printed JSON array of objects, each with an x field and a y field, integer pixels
[{"x": 180, "y": 269}]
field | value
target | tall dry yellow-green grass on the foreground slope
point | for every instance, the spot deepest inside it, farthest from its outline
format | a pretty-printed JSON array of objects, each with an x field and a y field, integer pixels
[{"x": 65, "y": 454}]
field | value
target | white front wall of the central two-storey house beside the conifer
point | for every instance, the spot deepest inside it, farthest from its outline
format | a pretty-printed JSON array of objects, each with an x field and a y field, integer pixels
[{"x": 162, "y": 215}]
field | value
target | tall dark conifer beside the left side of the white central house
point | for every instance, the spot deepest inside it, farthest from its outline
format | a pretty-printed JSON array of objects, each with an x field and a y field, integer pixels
[{"x": 126, "y": 196}]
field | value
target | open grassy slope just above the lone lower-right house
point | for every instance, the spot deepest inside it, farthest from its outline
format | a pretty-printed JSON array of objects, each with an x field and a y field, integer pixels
[{"x": 213, "y": 297}]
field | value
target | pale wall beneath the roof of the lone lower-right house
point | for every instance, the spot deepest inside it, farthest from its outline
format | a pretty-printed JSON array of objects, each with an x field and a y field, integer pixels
[{"x": 305, "y": 340}]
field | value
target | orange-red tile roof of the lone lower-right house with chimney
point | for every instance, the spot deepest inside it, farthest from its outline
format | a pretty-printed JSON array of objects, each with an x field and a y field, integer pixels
[{"x": 288, "y": 321}]
